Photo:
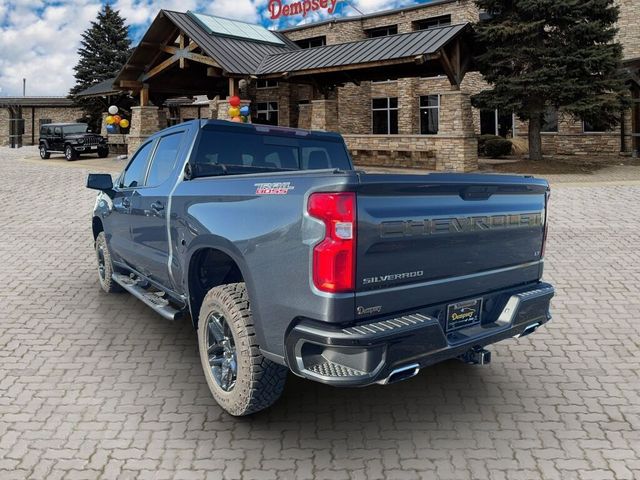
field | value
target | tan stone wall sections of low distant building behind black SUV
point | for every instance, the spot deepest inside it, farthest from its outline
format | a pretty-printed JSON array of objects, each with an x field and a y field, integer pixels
[{"x": 55, "y": 114}]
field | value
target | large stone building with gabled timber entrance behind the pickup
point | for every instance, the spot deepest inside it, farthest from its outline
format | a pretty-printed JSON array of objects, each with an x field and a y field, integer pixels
[{"x": 396, "y": 84}]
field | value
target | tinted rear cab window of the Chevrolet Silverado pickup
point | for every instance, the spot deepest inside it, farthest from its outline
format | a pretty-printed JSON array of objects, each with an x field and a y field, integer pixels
[{"x": 221, "y": 151}]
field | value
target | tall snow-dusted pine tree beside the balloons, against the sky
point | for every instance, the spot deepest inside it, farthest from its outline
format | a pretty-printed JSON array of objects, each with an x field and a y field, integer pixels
[{"x": 104, "y": 50}]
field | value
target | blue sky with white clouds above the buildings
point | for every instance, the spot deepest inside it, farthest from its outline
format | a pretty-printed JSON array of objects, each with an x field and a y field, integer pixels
[{"x": 39, "y": 40}]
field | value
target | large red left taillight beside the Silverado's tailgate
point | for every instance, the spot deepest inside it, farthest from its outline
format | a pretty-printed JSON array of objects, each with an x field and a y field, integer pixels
[{"x": 334, "y": 257}]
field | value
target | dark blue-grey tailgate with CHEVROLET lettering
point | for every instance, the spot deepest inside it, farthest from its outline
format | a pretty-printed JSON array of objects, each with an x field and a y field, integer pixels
[{"x": 436, "y": 238}]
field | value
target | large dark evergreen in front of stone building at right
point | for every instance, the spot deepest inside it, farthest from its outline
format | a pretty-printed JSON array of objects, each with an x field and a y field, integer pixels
[{"x": 537, "y": 54}]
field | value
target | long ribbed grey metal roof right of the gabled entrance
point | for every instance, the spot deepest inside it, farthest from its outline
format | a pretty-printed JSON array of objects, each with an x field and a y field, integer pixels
[{"x": 392, "y": 47}]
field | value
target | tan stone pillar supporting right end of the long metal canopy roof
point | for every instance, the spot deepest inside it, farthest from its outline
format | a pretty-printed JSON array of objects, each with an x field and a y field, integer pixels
[{"x": 456, "y": 124}]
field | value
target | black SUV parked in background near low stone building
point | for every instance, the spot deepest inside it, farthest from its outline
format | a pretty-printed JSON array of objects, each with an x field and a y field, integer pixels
[{"x": 72, "y": 139}]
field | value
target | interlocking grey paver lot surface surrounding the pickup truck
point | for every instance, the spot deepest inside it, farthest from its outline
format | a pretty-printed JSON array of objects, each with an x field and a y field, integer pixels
[{"x": 98, "y": 386}]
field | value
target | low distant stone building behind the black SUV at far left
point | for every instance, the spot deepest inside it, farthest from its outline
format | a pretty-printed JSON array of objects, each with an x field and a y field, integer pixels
[{"x": 22, "y": 117}]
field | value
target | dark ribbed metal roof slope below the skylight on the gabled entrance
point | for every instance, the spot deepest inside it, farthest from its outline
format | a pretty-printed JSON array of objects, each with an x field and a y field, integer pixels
[{"x": 235, "y": 55}]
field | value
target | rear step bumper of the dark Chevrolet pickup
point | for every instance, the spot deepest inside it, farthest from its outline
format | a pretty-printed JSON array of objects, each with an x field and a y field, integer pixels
[{"x": 366, "y": 353}]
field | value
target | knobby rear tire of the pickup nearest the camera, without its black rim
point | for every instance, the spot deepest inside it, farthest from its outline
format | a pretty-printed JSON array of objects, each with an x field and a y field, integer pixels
[{"x": 259, "y": 381}]
